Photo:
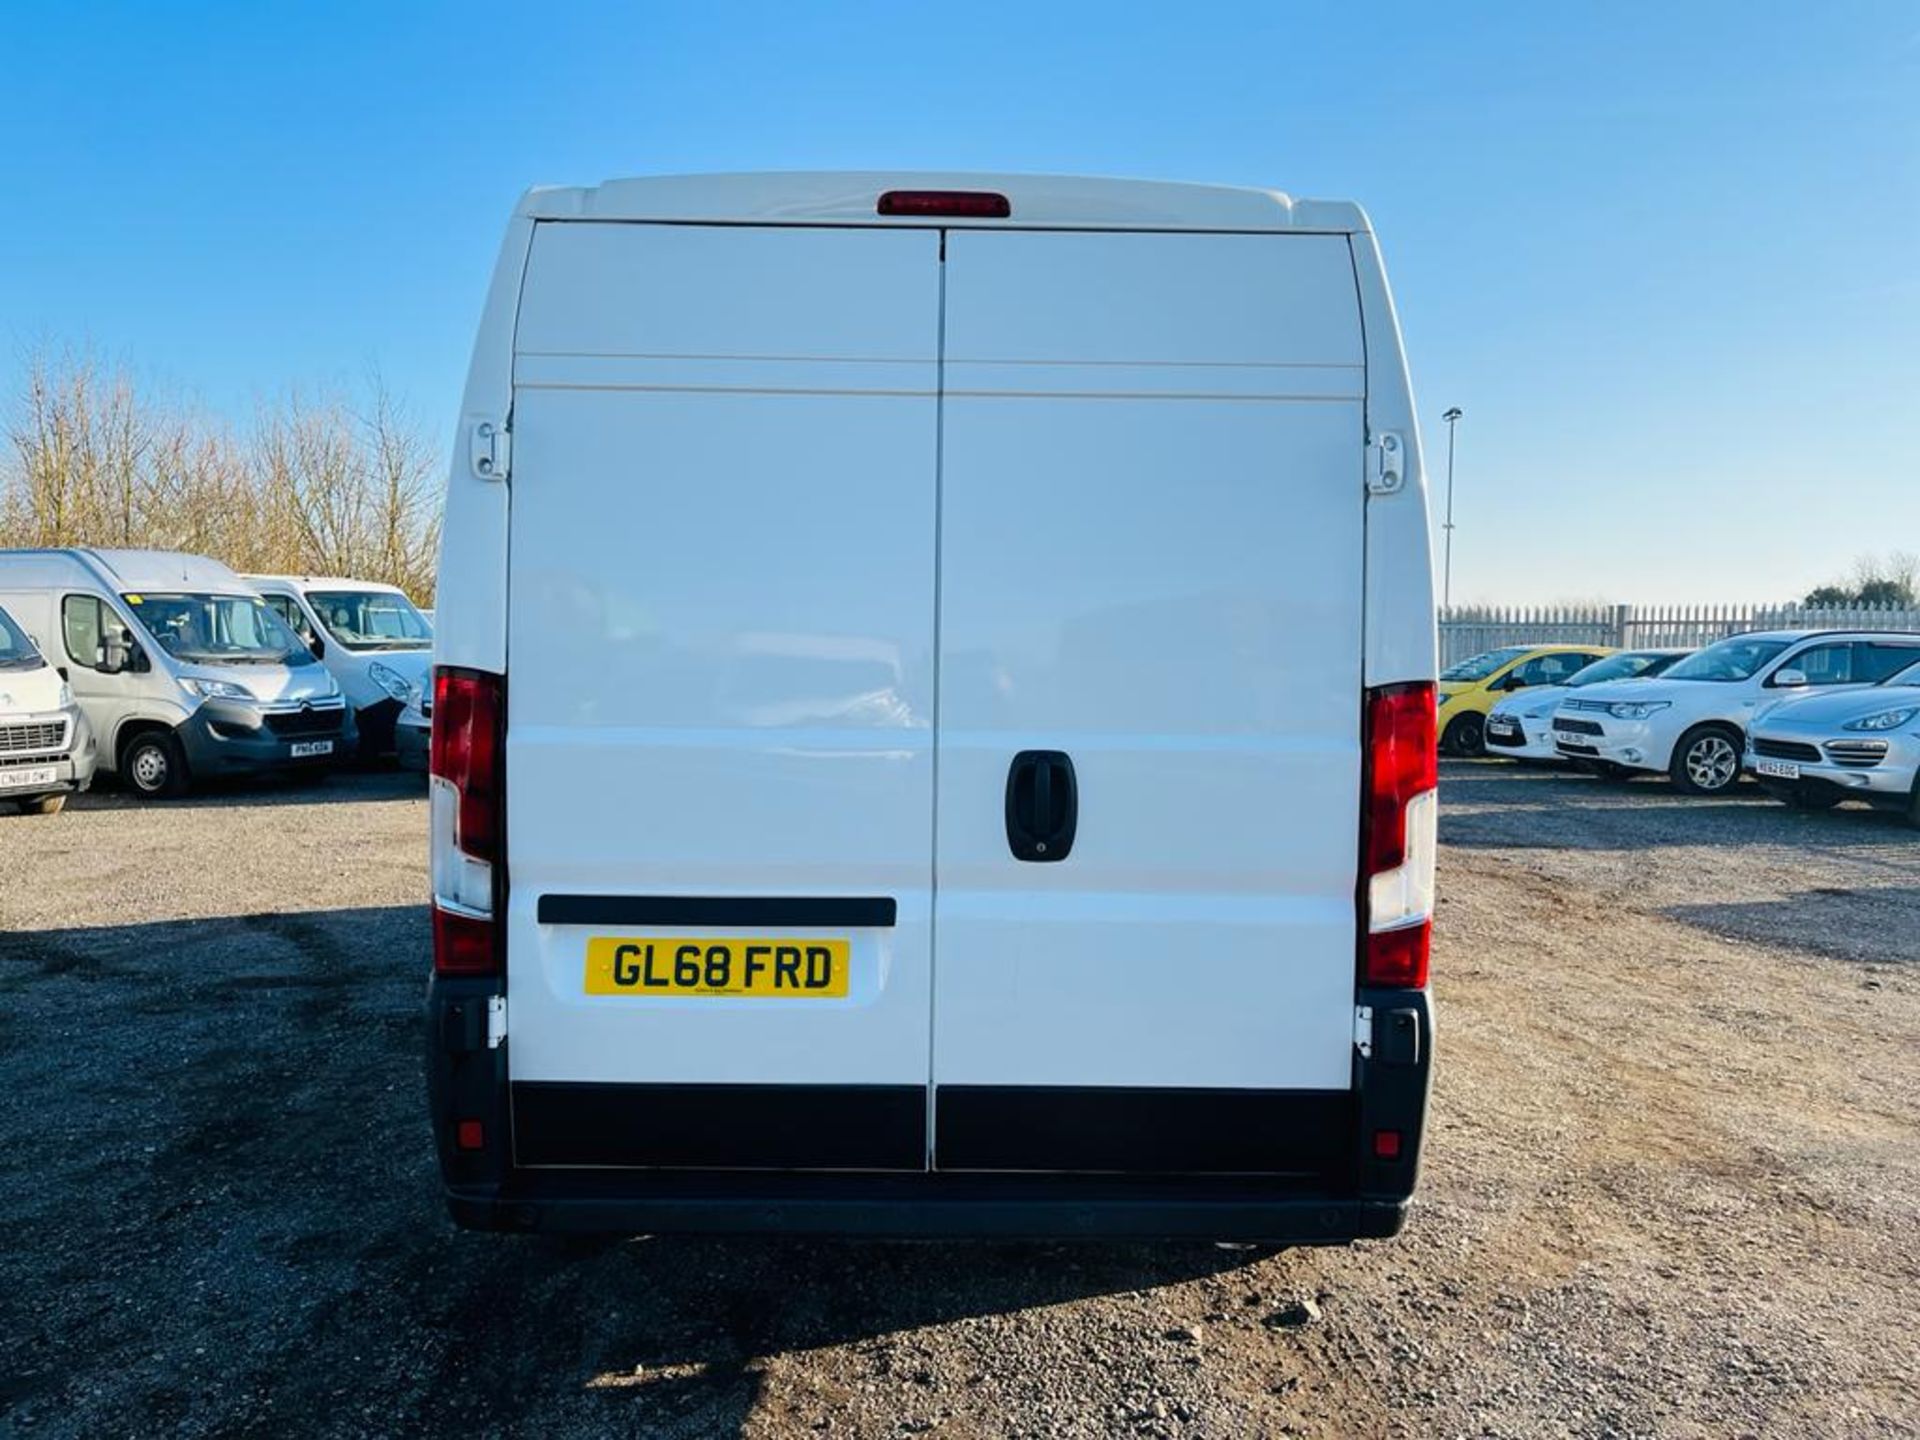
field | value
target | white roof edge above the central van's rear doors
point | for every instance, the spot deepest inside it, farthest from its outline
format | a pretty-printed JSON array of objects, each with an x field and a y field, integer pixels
[{"x": 853, "y": 197}]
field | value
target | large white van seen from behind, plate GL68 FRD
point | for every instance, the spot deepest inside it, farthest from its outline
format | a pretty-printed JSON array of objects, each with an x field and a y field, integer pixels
[{"x": 996, "y": 615}]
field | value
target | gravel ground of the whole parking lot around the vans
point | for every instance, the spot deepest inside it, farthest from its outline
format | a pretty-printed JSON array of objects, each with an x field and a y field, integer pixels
[{"x": 1673, "y": 1178}]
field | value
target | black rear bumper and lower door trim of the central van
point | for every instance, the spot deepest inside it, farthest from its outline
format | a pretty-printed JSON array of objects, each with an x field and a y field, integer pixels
[{"x": 1262, "y": 1166}]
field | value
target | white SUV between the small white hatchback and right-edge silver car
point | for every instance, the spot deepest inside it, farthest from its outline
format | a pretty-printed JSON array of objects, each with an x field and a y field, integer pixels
[{"x": 1692, "y": 723}]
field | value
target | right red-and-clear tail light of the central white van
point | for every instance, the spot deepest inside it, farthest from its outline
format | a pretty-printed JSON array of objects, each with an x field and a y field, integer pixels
[{"x": 1399, "y": 834}]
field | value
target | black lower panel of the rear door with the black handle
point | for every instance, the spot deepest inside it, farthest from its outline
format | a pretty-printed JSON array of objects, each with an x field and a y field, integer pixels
[{"x": 1143, "y": 1132}]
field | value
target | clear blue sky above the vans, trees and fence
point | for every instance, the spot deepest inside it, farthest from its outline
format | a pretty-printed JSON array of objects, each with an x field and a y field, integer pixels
[{"x": 1668, "y": 258}]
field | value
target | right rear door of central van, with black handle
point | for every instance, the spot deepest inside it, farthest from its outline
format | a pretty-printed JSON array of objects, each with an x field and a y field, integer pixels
[{"x": 1151, "y": 579}]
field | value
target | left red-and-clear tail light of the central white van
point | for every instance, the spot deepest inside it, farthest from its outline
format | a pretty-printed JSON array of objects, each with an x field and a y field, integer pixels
[{"x": 468, "y": 815}]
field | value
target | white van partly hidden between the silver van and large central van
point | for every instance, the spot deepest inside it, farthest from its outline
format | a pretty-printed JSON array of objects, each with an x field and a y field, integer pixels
[{"x": 370, "y": 636}]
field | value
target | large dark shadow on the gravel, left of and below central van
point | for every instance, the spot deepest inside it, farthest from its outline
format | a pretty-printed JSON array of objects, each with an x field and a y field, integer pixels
[{"x": 224, "y": 1218}]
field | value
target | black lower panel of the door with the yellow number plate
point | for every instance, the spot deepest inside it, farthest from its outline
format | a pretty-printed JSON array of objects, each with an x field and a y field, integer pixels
[{"x": 721, "y": 1126}]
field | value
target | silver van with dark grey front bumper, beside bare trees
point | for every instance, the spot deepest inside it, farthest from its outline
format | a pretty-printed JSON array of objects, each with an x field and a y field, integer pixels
[{"x": 181, "y": 667}]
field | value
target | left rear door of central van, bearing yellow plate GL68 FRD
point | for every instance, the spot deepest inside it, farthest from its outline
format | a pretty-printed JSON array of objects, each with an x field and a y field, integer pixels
[{"x": 721, "y": 696}]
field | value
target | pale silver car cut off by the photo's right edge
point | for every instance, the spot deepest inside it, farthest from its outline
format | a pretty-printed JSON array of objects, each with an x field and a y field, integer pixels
[{"x": 1858, "y": 746}]
